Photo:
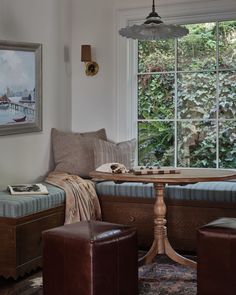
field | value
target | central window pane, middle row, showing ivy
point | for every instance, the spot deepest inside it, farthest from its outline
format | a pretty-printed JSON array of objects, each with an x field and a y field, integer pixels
[{"x": 197, "y": 95}]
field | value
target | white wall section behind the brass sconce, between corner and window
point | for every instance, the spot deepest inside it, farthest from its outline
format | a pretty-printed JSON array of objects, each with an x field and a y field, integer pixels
[{"x": 93, "y": 97}]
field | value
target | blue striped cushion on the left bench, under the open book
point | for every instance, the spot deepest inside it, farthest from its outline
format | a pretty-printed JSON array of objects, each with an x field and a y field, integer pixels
[{"x": 20, "y": 205}]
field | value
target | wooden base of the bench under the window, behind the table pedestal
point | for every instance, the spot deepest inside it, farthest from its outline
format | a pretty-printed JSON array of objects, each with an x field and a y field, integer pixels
[{"x": 183, "y": 218}]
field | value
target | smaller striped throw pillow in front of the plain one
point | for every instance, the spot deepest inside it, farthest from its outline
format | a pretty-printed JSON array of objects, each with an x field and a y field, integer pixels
[{"x": 108, "y": 152}]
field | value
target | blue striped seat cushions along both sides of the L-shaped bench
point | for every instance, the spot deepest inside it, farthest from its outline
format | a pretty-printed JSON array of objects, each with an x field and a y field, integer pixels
[{"x": 19, "y": 205}]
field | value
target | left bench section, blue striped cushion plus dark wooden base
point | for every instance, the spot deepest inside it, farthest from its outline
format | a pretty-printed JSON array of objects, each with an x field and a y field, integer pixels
[{"x": 22, "y": 220}]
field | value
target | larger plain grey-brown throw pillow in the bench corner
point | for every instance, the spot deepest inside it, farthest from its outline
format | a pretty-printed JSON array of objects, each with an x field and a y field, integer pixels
[{"x": 73, "y": 152}]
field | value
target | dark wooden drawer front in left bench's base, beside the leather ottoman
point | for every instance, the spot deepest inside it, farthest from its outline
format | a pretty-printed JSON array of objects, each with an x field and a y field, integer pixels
[{"x": 29, "y": 236}]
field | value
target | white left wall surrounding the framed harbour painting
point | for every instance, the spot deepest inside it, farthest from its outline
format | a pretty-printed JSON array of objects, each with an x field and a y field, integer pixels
[{"x": 25, "y": 157}]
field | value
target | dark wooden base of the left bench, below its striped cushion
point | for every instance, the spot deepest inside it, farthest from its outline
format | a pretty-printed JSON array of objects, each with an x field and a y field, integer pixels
[{"x": 21, "y": 241}]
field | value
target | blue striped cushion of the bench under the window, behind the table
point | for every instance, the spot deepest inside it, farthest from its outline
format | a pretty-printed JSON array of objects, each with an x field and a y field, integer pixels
[{"x": 221, "y": 191}]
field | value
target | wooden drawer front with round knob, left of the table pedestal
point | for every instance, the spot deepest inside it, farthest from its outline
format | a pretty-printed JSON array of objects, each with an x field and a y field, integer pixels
[{"x": 139, "y": 215}]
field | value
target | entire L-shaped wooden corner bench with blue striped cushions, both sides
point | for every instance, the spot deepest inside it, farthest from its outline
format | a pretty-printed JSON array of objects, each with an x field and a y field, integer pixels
[{"x": 23, "y": 218}]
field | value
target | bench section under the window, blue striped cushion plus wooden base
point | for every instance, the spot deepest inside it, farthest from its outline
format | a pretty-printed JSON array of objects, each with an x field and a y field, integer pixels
[{"x": 188, "y": 207}]
